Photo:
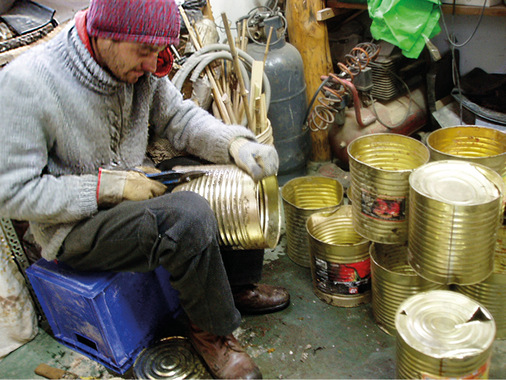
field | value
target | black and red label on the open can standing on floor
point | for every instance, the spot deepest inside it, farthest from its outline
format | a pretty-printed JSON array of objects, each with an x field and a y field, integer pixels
[{"x": 350, "y": 278}]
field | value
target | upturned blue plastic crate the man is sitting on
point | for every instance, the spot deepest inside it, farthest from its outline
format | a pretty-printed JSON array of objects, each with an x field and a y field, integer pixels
[{"x": 109, "y": 317}]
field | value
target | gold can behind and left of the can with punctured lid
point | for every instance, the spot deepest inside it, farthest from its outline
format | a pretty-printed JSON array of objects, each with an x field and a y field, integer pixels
[{"x": 393, "y": 281}]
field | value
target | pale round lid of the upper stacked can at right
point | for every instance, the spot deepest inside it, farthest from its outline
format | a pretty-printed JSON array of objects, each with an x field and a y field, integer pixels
[{"x": 457, "y": 182}]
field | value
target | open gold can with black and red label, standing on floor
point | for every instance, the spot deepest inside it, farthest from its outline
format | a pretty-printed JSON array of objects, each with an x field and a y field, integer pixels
[{"x": 340, "y": 263}]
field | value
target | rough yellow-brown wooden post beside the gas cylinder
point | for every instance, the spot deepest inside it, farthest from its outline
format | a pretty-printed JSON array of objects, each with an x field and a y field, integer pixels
[{"x": 310, "y": 37}]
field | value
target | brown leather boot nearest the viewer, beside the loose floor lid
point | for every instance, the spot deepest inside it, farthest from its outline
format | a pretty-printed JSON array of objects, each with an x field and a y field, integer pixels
[{"x": 224, "y": 356}]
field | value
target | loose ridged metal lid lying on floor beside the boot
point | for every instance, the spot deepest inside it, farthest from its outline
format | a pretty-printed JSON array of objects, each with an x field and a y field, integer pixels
[{"x": 170, "y": 358}]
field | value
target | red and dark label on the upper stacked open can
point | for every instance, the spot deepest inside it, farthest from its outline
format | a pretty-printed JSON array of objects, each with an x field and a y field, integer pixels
[{"x": 383, "y": 207}]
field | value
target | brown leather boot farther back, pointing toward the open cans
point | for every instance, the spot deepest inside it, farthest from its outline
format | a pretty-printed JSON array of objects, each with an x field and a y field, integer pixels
[{"x": 260, "y": 298}]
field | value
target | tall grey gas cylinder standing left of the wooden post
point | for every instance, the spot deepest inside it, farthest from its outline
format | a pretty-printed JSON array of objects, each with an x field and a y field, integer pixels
[{"x": 285, "y": 71}]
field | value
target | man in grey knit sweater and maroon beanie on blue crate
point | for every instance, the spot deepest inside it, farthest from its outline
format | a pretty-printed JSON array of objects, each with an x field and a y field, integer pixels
[{"x": 76, "y": 115}]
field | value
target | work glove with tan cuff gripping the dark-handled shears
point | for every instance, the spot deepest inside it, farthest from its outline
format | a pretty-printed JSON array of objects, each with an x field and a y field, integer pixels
[{"x": 115, "y": 186}]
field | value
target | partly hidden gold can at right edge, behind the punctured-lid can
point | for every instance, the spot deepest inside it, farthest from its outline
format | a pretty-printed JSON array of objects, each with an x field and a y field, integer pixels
[{"x": 491, "y": 292}]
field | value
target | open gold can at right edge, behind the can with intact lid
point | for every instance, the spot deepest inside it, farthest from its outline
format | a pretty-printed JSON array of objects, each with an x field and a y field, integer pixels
[{"x": 482, "y": 145}]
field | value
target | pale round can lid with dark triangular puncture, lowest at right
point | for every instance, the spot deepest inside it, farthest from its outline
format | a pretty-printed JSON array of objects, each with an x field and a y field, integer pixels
[{"x": 445, "y": 324}]
